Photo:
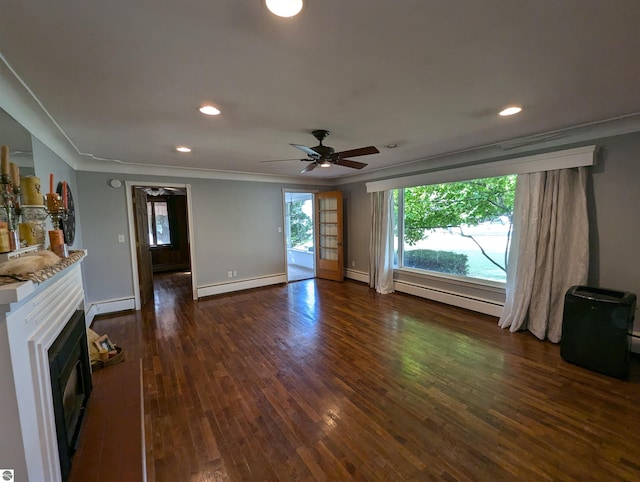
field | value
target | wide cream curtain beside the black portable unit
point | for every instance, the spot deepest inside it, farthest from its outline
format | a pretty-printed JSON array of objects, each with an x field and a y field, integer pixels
[{"x": 549, "y": 250}]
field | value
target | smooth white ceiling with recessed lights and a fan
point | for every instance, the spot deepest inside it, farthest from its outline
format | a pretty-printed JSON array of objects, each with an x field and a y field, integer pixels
[{"x": 123, "y": 79}]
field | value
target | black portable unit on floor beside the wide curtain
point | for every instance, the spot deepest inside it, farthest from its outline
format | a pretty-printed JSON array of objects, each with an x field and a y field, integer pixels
[{"x": 596, "y": 329}]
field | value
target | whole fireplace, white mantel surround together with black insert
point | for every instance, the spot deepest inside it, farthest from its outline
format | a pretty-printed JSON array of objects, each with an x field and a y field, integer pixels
[{"x": 33, "y": 318}]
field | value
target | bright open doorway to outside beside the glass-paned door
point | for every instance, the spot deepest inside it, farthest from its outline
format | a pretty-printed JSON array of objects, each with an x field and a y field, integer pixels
[{"x": 299, "y": 235}]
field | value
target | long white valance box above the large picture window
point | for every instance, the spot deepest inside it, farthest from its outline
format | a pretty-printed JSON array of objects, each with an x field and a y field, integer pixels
[{"x": 580, "y": 156}]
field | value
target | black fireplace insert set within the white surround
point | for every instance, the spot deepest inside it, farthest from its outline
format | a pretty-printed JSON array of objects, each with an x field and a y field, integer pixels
[{"x": 70, "y": 386}]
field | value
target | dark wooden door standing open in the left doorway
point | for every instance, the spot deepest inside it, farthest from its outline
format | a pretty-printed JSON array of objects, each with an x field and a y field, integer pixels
[{"x": 143, "y": 249}]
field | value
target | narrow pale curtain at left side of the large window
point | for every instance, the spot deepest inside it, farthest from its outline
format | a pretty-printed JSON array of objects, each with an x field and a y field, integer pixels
[{"x": 381, "y": 243}]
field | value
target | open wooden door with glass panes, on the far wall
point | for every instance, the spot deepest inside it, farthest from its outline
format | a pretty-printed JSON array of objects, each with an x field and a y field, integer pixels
[{"x": 328, "y": 249}]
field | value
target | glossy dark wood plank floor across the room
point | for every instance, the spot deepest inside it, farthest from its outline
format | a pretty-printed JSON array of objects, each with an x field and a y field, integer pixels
[{"x": 320, "y": 380}]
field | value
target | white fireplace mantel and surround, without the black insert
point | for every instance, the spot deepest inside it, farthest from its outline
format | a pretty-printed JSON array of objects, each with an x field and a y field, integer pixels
[{"x": 32, "y": 315}]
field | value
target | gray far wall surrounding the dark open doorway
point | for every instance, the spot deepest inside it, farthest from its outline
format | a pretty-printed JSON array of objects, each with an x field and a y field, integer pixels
[{"x": 235, "y": 229}]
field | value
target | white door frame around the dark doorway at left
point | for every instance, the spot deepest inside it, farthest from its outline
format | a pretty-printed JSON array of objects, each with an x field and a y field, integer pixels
[{"x": 129, "y": 185}]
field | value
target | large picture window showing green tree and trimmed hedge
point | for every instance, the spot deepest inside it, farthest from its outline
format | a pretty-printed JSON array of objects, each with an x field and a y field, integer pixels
[{"x": 457, "y": 228}]
